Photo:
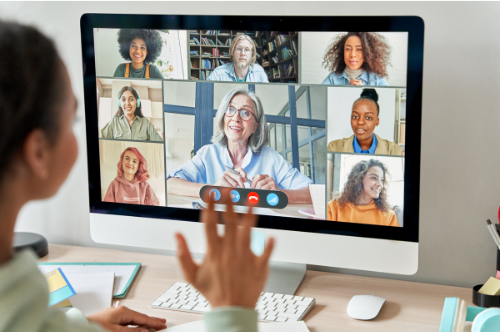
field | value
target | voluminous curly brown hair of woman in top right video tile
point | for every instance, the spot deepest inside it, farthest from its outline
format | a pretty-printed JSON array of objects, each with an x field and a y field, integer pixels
[{"x": 376, "y": 53}]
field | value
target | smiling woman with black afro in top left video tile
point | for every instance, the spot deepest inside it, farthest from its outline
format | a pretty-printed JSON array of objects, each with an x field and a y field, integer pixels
[{"x": 142, "y": 48}]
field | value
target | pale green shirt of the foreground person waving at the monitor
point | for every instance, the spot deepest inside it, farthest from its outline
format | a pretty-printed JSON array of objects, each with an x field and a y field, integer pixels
[{"x": 24, "y": 296}]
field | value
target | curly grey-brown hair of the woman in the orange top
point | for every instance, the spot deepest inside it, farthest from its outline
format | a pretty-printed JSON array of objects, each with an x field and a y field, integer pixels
[{"x": 354, "y": 187}]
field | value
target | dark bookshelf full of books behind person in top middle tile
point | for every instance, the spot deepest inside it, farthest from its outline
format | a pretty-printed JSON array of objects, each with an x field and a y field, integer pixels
[{"x": 277, "y": 50}]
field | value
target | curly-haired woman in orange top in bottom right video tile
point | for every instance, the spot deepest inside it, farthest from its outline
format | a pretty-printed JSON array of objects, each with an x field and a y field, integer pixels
[{"x": 363, "y": 200}]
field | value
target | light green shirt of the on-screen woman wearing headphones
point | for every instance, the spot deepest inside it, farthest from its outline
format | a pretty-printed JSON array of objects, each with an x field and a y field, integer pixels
[{"x": 141, "y": 129}]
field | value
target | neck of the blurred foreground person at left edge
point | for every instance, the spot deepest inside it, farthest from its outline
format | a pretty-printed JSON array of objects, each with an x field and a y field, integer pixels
[{"x": 11, "y": 202}]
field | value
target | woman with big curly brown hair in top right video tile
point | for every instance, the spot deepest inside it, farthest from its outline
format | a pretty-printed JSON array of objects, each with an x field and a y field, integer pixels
[{"x": 357, "y": 58}]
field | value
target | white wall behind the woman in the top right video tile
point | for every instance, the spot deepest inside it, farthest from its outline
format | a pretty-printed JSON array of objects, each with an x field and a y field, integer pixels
[{"x": 314, "y": 46}]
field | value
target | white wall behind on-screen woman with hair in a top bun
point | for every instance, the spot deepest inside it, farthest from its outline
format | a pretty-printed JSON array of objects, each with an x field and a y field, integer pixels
[{"x": 340, "y": 102}]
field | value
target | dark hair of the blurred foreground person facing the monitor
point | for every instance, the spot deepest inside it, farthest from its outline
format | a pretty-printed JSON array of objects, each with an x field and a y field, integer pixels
[{"x": 30, "y": 88}]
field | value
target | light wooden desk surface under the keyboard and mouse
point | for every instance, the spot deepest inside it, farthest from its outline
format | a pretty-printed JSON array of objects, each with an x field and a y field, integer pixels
[{"x": 410, "y": 306}]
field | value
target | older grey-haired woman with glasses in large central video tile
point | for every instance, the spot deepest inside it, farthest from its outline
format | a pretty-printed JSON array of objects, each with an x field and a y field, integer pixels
[{"x": 240, "y": 142}]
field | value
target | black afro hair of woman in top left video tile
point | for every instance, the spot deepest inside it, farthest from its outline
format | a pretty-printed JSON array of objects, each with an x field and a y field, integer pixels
[{"x": 152, "y": 39}]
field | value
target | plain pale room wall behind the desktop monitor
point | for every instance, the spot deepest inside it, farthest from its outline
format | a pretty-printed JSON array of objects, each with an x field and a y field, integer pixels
[{"x": 459, "y": 159}]
